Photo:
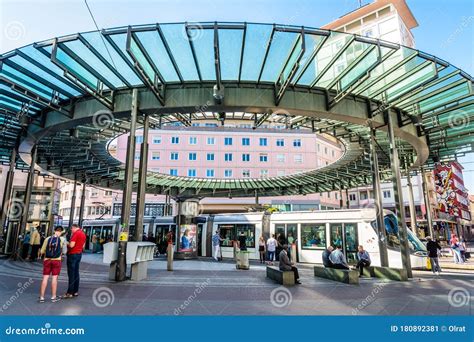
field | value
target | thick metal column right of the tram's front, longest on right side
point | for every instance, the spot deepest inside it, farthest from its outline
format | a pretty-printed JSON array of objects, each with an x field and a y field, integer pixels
[{"x": 399, "y": 203}]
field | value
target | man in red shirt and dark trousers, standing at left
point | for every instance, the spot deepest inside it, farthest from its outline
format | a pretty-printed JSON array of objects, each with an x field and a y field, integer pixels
[{"x": 74, "y": 255}]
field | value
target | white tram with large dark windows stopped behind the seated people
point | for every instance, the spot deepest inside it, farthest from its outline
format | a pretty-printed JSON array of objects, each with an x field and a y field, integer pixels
[{"x": 311, "y": 232}]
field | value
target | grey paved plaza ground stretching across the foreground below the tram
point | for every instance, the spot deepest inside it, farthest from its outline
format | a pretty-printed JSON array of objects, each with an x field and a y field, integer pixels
[{"x": 206, "y": 287}]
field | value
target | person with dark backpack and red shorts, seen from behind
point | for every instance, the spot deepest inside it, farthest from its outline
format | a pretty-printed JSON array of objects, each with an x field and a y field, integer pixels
[{"x": 52, "y": 250}]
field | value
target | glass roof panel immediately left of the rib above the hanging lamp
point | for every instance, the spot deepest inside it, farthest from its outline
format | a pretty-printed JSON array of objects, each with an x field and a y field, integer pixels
[{"x": 203, "y": 40}]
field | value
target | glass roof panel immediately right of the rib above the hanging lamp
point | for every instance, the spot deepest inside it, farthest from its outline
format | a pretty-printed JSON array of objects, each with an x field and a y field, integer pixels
[{"x": 230, "y": 48}]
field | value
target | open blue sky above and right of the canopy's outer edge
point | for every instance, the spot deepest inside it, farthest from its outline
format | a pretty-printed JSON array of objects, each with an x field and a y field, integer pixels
[{"x": 446, "y": 27}]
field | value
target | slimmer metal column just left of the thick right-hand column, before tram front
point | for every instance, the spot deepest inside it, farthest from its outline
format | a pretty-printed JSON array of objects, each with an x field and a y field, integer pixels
[{"x": 382, "y": 234}]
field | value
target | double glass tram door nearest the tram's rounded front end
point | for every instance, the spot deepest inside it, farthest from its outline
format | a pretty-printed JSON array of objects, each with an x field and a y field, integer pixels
[{"x": 345, "y": 235}]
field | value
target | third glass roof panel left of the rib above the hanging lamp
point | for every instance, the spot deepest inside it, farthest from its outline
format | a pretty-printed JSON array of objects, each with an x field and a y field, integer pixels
[{"x": 155, "y": 48}]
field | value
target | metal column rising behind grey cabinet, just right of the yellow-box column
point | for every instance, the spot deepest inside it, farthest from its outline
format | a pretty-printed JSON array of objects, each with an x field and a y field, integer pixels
[{"x": 142, "y": 171}]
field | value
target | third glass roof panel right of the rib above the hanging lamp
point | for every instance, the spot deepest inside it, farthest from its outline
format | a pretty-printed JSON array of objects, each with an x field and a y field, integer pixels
[{"x": 280, "y": 49}]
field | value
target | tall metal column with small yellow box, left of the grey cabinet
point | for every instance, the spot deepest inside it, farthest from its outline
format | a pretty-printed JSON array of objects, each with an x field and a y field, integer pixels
[{"x": 121, "y": 269}]
